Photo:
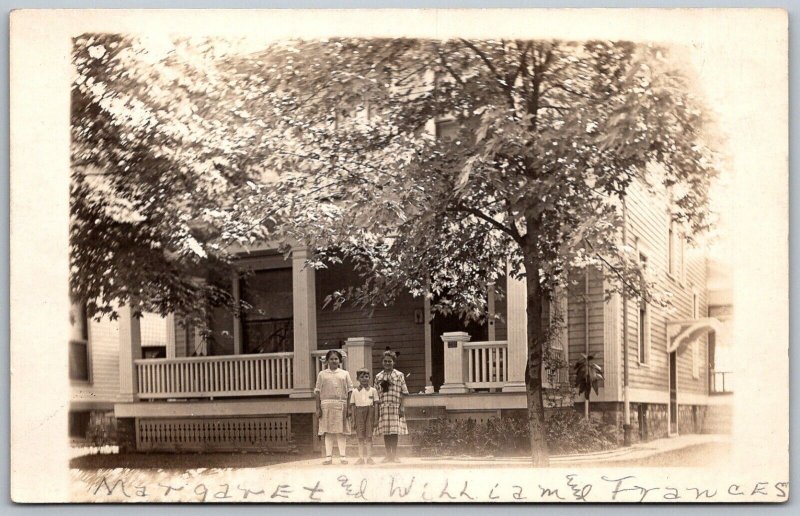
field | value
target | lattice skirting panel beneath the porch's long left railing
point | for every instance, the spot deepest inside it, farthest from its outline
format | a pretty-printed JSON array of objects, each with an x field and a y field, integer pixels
[{"x": 213, "y": 434}]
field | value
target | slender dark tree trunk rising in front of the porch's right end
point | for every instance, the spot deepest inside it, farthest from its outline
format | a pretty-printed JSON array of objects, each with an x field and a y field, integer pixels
[{"x": 533, "y": 372}]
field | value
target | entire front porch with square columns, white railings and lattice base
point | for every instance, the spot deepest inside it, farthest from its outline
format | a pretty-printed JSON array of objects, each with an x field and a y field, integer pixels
[{"x": 248, "y": 388}]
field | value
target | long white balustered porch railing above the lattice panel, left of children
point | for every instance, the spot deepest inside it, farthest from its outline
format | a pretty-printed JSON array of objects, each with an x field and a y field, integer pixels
[{"x": 215, "y": 376}]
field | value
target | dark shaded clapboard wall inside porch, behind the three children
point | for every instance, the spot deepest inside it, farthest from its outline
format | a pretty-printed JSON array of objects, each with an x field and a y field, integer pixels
[{"x": 393, "y": 326}]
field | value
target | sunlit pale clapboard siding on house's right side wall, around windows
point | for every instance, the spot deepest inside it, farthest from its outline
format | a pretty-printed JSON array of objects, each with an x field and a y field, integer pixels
[{"x": 648, "y": 228}]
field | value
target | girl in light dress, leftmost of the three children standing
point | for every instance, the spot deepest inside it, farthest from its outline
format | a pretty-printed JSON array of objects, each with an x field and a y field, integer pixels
[{"x": 332, "y": 393}]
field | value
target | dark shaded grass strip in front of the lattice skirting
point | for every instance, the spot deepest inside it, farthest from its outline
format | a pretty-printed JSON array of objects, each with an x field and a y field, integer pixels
[{"x": 180, "y": 462}]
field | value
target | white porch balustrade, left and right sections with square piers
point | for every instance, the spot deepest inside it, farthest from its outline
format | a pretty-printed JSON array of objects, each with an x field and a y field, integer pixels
[{"x": 469, "y": 367}]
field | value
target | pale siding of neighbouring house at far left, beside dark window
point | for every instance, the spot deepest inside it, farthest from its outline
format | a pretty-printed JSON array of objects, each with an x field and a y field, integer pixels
[{"x": 104, "y": 363}]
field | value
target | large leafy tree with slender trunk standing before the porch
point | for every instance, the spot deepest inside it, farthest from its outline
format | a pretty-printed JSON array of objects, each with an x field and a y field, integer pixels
[{"x": 432, "y": 164}]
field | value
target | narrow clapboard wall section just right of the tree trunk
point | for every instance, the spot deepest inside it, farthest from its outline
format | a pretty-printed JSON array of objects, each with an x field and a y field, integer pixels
[{"x": 577, "y": 318}]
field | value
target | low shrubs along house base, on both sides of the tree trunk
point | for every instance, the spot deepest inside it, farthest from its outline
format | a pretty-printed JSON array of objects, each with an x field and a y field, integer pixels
[{"x": 566, "y": 431}]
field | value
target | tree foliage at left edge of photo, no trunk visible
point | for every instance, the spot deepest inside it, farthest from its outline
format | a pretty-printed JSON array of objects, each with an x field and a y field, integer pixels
[{"x": 158, "y": 154}]
